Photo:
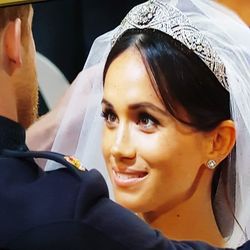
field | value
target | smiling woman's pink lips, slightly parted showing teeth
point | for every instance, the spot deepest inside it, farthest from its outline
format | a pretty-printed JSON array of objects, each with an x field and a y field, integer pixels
[{"x": 128, "y": 178}]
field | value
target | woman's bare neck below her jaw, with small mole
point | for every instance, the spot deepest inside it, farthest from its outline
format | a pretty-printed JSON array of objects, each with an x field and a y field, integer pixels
[{"x": 192, "y": 219}]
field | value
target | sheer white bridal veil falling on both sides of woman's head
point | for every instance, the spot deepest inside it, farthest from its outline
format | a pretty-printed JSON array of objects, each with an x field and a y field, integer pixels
[{"x": 79, "y": 133}]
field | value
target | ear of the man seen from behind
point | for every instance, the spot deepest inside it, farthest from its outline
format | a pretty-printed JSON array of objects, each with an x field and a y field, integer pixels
[{"x": 12, "y": 46}]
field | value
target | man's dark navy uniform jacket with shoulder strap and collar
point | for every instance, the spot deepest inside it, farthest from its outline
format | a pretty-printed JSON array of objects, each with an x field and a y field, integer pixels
[{"x": 66, "y": 208}]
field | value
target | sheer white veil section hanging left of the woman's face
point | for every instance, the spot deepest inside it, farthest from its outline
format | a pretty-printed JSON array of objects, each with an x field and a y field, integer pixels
[{"x": 79, "y": 133}]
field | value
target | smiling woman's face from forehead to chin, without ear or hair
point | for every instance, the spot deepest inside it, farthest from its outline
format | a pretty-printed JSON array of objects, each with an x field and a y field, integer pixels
[{"x": 152, "y": 159}]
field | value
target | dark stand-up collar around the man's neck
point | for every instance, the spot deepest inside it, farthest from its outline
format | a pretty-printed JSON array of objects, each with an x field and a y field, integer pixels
[{"x": 12, "y": 134}]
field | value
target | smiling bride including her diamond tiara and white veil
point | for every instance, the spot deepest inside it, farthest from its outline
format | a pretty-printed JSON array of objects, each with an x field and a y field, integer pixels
[{"x": 176, "y": 97}]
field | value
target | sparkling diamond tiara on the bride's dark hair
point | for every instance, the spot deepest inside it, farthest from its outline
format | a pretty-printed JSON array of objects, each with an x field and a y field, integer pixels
[{"x": 159, "y": 15}]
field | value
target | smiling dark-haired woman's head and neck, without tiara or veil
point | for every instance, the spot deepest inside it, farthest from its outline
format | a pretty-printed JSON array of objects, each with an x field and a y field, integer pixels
[{"x": 159, "y": 135}]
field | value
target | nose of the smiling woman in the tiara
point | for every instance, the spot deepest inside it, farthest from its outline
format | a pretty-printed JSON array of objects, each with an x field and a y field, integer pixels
[{"x": 123, "y": 146}]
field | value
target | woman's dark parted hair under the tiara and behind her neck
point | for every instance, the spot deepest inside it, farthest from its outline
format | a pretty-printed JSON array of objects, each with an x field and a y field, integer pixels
[{"x": 181, "y": 79}]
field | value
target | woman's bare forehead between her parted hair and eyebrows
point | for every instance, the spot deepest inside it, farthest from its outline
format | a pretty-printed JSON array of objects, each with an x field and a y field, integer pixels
[{"x": 127, "y": 80}]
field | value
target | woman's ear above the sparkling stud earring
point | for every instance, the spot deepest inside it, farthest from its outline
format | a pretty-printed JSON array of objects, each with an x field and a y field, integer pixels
[{"x": 222, "y": 141}]
